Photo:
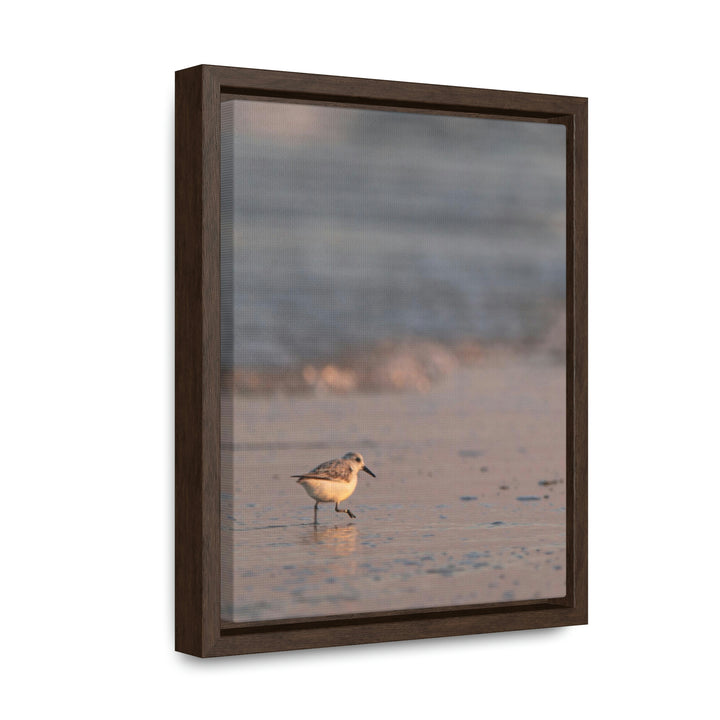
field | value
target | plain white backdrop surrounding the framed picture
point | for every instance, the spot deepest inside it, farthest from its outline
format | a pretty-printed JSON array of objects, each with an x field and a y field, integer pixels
[{"x": 86, "y": 283}]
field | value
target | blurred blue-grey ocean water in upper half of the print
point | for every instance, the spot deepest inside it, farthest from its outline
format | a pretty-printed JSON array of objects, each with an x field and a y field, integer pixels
[{"x": 351, "y": 228}]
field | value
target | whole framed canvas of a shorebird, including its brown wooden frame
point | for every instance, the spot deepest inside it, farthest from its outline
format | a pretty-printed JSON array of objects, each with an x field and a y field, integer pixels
[{"x": 381, "y": 361}]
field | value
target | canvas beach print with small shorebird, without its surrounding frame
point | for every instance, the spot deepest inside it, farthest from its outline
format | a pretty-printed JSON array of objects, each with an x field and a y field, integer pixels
[{"x": 393, "y": 361}]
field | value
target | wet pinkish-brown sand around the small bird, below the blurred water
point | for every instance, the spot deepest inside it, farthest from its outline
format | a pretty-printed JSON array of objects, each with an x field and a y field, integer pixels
[{"x": 468, "y": 505}]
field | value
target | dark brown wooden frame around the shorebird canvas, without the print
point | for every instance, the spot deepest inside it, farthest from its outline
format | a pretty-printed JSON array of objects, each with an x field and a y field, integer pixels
[{"x": 198, "y": 628}]
